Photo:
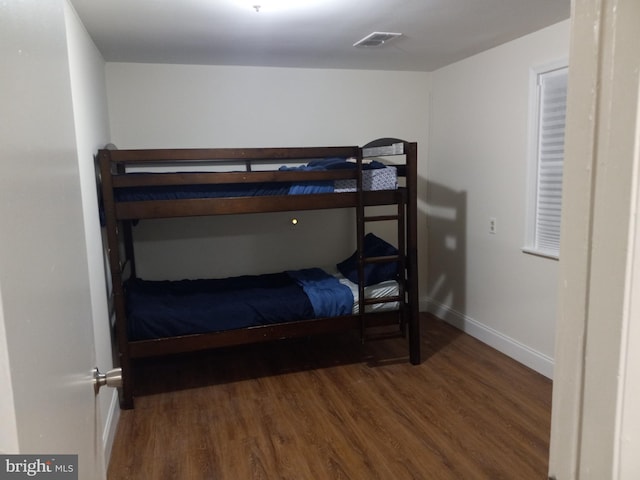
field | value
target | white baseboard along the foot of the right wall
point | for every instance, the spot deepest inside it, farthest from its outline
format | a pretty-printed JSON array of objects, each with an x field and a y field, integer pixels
[{"x": 520, "y": 352}]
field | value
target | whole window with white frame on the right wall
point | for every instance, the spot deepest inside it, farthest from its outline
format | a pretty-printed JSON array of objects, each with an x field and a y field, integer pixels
[{"x": 549, "y": 105}]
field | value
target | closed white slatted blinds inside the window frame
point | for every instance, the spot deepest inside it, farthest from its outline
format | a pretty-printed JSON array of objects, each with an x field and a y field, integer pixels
[{"x": 552, "y": 106}]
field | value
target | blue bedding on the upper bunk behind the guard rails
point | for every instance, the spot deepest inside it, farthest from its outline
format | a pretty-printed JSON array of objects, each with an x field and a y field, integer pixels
[{"x": 181, "y": 192}]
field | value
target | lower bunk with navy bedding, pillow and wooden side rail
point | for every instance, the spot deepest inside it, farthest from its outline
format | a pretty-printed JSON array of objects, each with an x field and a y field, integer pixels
[{"x": 169, "y": 317}]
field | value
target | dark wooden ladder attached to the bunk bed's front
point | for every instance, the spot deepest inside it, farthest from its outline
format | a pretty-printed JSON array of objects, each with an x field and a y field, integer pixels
[{"x": 361, "y": 220}]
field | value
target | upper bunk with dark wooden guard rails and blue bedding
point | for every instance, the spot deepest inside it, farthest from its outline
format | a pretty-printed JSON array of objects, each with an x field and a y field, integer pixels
[{"x": 164, "y": 183}]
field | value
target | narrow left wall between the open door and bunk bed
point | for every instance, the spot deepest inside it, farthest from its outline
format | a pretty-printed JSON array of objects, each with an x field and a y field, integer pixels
[{"x": 89, "y": 97}]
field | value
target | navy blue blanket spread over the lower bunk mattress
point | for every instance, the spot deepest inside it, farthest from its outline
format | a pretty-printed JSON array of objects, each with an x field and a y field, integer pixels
[{"x": 157, "y": 309}]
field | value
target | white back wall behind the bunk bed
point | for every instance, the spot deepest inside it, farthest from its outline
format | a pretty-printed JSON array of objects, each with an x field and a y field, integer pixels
[{"x": 156, "y": 106}]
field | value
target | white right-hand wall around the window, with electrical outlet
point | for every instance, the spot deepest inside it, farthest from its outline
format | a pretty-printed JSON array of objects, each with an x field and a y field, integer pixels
[{"x": 478, "y": 153}]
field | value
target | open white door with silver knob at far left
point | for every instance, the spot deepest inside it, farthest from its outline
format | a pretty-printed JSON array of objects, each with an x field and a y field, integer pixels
[{"x": 44, "y": 283}]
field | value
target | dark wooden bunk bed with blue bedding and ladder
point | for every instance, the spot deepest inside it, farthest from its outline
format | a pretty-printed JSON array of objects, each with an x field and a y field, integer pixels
[{"x": 375, "y": 293}]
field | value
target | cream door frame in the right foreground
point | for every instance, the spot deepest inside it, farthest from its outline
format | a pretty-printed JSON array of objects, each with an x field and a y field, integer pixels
[{"x": 596, "y": 380}]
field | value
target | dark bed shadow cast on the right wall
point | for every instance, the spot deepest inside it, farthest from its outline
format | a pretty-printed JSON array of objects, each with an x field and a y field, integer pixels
[{"x": 446, "y": 256}]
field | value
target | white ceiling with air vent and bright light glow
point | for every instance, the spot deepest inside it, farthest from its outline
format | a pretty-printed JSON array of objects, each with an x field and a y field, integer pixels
[{"x": 310, "y": 33}]
